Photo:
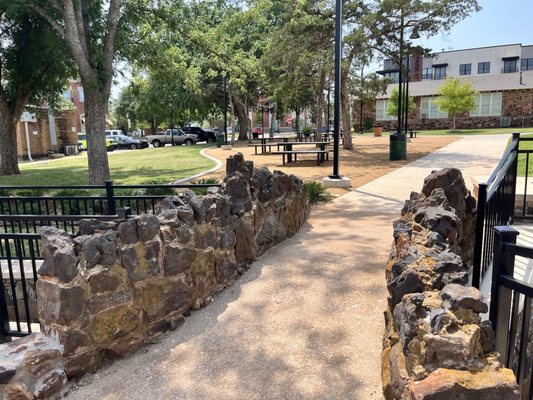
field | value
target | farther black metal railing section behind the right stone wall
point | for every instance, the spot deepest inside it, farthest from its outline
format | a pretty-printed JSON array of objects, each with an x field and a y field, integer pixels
[{"x": 495, "y": 206}]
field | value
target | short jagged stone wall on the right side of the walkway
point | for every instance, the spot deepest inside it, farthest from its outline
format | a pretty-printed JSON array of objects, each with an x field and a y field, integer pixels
[{"x": 435, "y": 345}]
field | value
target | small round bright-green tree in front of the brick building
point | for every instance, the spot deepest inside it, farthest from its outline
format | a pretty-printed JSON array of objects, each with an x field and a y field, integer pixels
[{"x": 456, "y": 97}]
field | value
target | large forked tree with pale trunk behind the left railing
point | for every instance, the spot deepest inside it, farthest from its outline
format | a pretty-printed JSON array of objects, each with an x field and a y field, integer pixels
[{"x": 91, "y": 31}]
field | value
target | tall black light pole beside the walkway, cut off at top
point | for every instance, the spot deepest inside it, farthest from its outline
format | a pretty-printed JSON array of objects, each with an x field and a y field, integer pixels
[{"x": 337, "y": 97}]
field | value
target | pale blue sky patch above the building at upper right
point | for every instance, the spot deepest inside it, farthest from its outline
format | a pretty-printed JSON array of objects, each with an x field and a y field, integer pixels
[{"x": 499, "y": 22}]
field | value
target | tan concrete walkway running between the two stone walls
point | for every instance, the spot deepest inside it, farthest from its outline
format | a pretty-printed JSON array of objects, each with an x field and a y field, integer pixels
[{"x": 305, "y": 322}]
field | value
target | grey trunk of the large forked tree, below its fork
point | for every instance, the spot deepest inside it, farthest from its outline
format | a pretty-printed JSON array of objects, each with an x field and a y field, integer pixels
[{"x": 96, "y": 111}]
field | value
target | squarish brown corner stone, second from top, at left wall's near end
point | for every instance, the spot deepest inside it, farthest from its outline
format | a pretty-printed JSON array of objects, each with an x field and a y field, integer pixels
[{"x": 59, "y": 304}]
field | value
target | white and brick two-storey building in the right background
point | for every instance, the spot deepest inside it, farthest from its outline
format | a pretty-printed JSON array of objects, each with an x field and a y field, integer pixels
[{"x": 503, "y": 76}]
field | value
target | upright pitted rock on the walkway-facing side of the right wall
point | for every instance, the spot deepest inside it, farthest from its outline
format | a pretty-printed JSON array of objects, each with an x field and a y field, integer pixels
[{"x": 408, "y": 314}]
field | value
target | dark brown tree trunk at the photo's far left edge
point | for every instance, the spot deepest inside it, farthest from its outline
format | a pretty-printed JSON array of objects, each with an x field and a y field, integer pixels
[{"x": 8, "y": 139}]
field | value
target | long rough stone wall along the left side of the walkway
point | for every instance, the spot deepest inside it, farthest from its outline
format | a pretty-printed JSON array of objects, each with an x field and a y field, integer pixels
[{"x": 115, "y": 285}]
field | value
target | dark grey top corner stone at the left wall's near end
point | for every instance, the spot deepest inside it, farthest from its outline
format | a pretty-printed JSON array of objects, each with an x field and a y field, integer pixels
[{"x": 59, "y": 257}]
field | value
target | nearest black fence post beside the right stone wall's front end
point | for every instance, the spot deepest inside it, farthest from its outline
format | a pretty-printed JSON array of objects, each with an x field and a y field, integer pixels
[{"x": 500, "y": 297}]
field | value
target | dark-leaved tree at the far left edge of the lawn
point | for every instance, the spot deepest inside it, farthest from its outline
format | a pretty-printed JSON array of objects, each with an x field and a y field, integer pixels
[{"x": 33, "y": 68}]
